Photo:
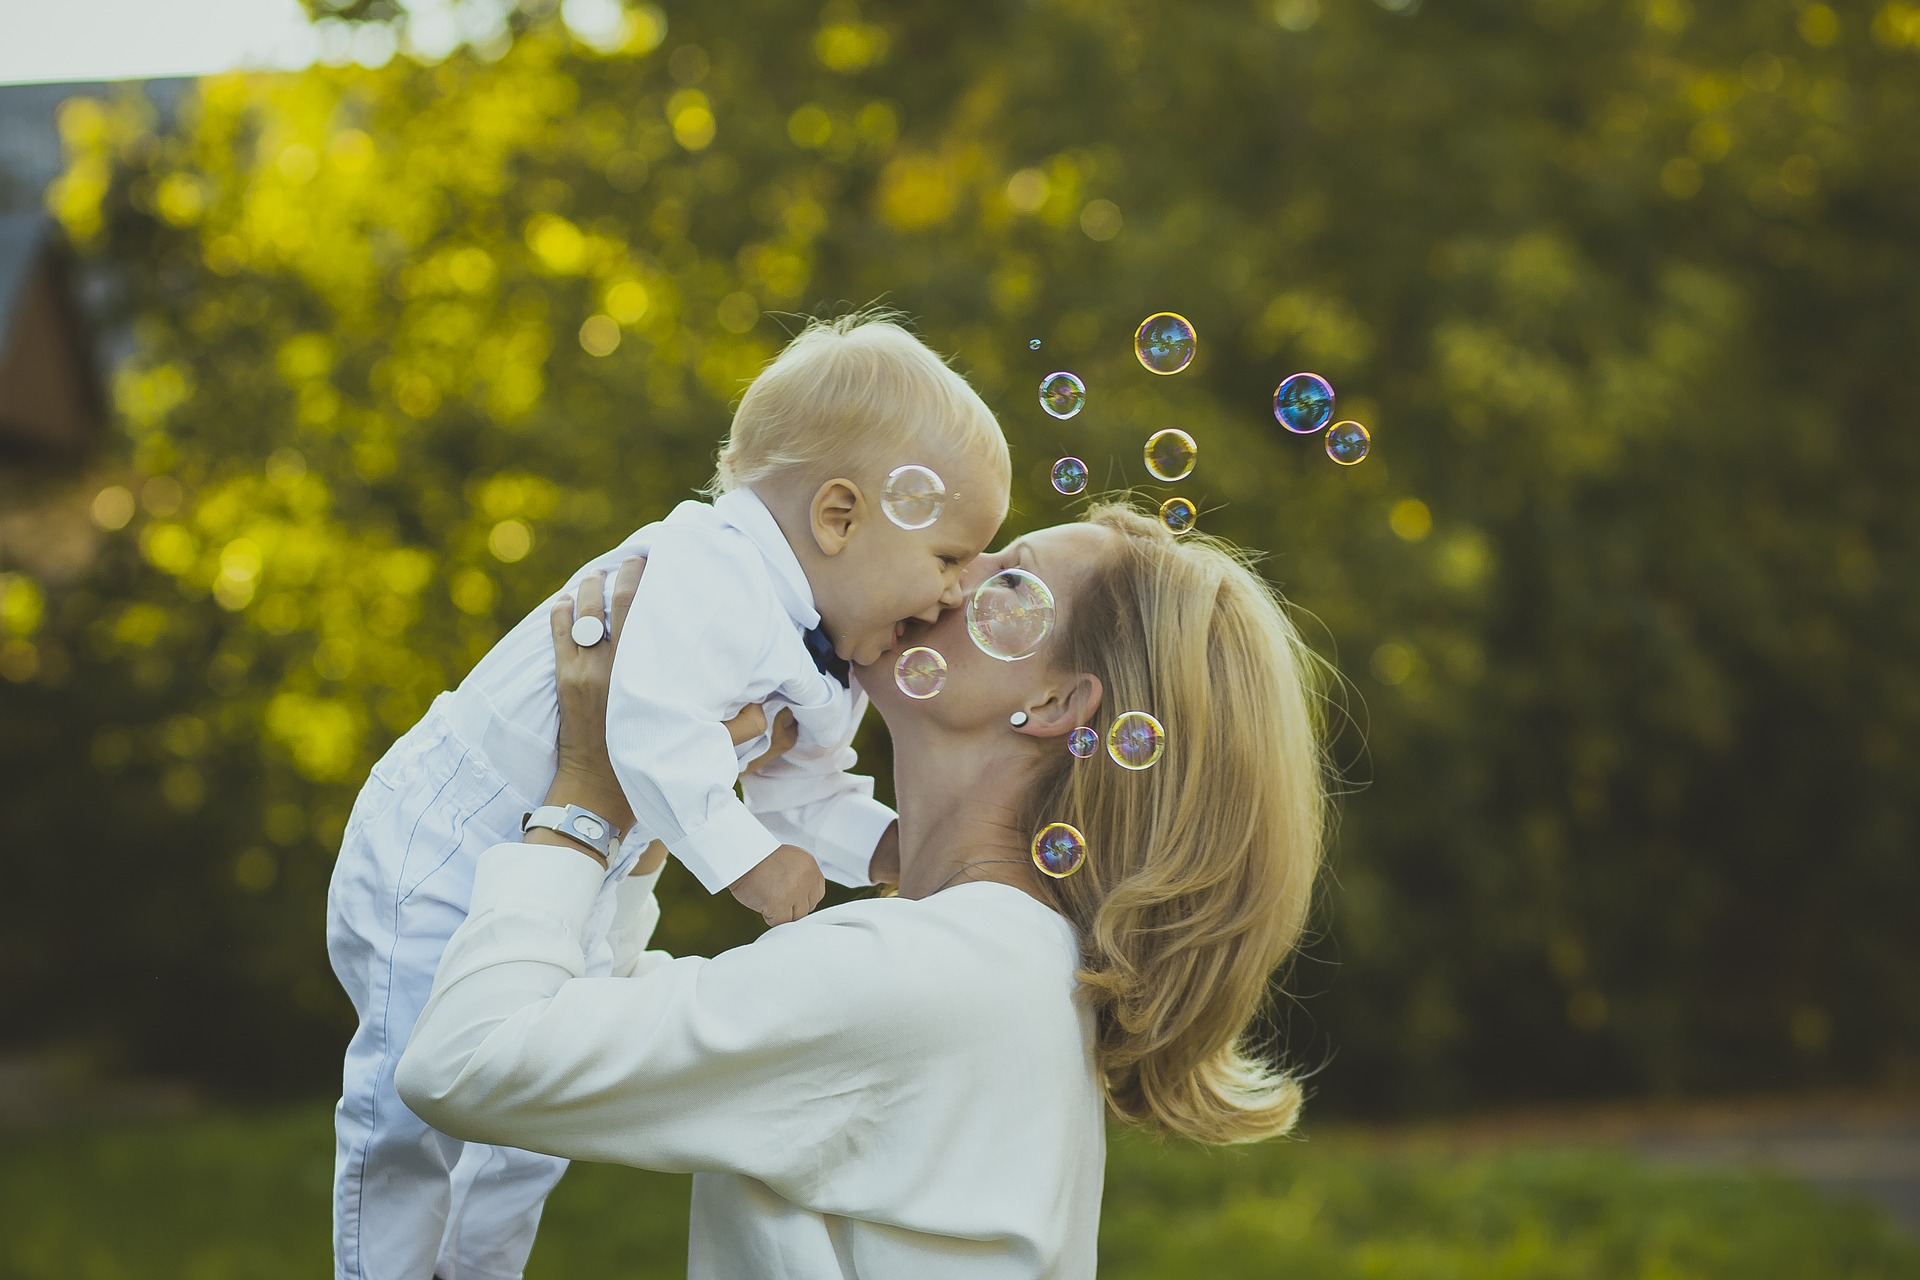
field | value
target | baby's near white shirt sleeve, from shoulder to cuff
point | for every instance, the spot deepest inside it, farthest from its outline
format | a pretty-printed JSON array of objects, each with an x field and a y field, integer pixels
[{"x": 688, "y": 659}]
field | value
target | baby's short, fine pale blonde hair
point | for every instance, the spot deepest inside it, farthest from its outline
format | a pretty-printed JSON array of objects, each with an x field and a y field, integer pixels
[{"x": 848, "y": 394}]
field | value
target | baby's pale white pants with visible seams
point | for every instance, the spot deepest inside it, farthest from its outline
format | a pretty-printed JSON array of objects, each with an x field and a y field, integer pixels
[{"x": 412, "y": 1202}]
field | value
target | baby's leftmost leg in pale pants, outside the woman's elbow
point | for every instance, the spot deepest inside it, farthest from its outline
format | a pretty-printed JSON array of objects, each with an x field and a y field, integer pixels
[{"x": 398, "y": 893}]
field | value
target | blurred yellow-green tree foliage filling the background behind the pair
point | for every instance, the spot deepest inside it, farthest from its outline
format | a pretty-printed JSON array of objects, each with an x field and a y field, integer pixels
[{"x": 1625, "y": 293}]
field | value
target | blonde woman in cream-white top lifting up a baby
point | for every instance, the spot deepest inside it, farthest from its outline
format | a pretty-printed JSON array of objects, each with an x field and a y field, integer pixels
[{"x": 915, "y": 1085}]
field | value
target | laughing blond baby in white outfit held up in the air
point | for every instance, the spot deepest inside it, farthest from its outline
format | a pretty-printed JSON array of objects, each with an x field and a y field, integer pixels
[{"x": 805, "y": 563}]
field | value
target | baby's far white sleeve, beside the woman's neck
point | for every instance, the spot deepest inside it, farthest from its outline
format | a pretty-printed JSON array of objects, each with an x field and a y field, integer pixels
[{"x": 809, "y": 799}]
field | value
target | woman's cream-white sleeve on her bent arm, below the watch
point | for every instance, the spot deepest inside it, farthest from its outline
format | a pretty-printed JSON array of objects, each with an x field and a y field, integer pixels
[{"x": 757, "y": 1062}]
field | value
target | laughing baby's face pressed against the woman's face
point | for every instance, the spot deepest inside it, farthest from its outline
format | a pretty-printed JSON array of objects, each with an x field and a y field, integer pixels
[{"x": 888, "y": 577}]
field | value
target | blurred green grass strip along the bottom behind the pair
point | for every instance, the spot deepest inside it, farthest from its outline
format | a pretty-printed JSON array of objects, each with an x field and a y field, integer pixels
[{"x": 245, "y": 1197}]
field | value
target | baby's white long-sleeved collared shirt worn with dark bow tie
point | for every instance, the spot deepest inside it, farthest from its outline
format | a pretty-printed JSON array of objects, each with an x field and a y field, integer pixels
[{"x": 717, "y": 625}]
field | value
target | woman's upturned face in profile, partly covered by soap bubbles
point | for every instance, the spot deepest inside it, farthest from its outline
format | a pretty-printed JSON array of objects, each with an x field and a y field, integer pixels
[{"x": 980, "y": 688}]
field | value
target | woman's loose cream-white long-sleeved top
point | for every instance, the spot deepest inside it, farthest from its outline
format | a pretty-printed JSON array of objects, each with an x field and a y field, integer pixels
[{"x": 884, "y": 1089}]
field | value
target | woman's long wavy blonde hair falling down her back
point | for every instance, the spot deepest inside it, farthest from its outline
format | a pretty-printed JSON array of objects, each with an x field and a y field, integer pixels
[{"x": 1201, "y": 868}]
